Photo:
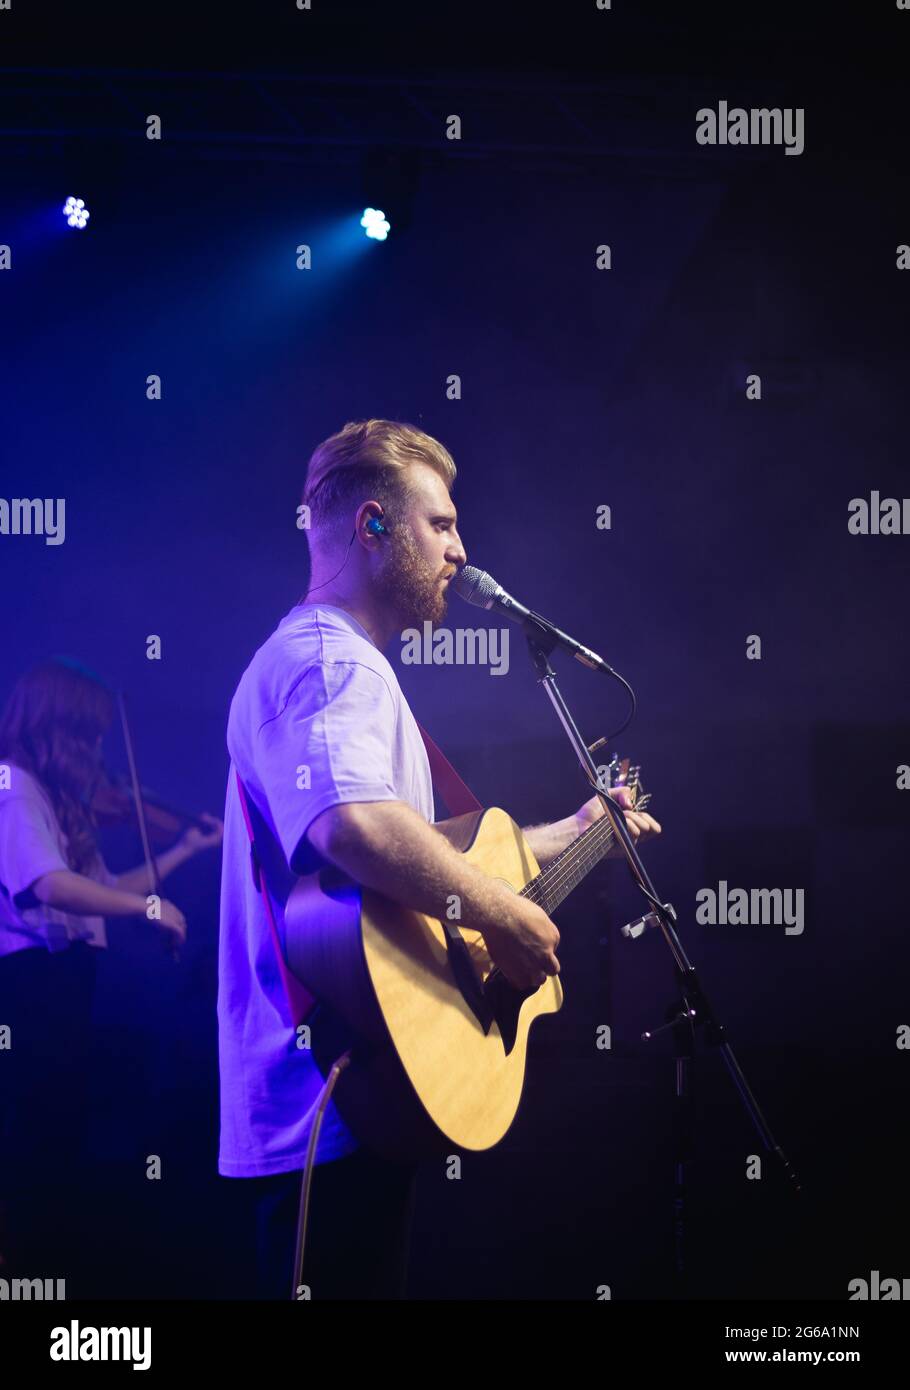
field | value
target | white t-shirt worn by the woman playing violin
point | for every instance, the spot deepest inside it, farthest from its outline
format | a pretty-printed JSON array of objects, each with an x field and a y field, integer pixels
[{"x": 33, "y": 844}]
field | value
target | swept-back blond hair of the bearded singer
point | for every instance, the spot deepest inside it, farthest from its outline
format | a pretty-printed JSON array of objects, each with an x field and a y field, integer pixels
[{"x": 370, "y": 458}]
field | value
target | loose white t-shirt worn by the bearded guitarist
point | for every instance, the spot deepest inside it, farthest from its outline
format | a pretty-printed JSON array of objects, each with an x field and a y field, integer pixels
[{"x": 319, "y": 719}]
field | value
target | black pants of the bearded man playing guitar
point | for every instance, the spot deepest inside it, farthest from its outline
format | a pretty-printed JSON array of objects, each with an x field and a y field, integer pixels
[{"x": 358, "y": 1231}]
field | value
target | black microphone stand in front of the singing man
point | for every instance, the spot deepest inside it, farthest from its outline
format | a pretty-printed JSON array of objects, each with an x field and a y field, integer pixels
[{"x": 691, "y": 1011}]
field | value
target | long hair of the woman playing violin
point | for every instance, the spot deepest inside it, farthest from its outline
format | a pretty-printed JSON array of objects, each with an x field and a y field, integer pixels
[{"x": 51, "y": 728}]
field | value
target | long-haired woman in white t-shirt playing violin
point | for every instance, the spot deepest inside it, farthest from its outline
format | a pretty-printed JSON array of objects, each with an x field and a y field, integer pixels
[{"x": 55, "y": 896}]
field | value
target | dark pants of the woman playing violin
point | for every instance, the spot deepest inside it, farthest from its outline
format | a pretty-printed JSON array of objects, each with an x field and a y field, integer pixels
[{"x": 47, "y": 1000}]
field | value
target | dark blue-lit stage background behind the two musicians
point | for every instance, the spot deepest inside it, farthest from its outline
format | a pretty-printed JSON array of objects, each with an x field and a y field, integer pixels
[{"x": 580, "y": 389}]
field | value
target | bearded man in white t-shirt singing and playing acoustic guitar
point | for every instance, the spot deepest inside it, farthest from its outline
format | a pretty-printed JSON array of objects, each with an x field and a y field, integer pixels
[{"x": 337, "y": 772}]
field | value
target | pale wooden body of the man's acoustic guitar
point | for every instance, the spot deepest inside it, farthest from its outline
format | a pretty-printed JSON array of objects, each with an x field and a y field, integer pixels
[{"x": 427, "y": 1072}]
